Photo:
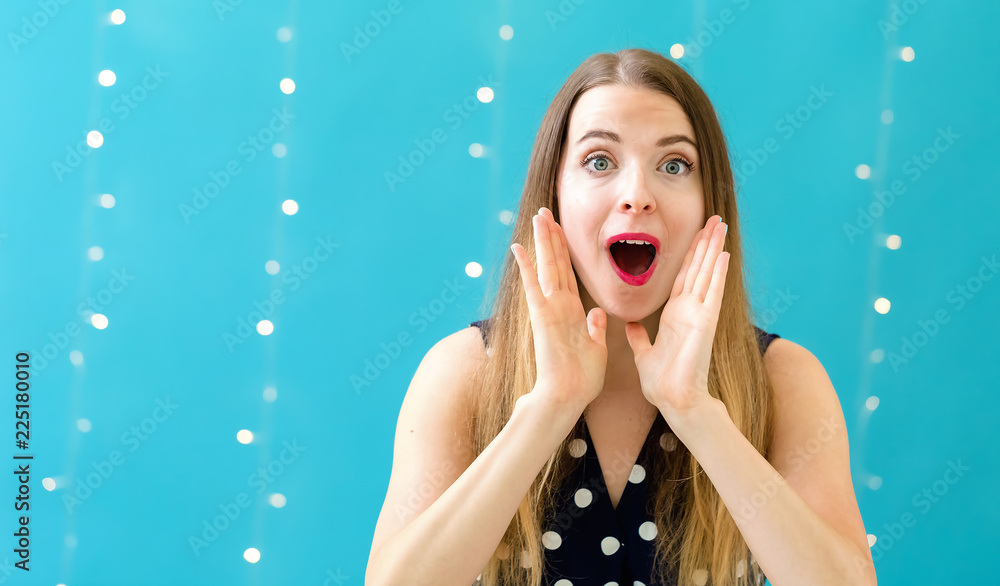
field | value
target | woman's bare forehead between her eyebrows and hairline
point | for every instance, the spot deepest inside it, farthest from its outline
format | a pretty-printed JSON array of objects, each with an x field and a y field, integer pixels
[{"x": 635, "y": 114}]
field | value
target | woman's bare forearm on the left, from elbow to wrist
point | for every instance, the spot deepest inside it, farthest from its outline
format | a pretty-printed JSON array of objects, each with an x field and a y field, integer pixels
[{"x": 450, "y": 542}]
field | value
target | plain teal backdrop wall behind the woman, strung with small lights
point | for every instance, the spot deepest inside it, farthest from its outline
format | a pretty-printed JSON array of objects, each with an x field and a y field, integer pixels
[{"x": 397, "y": 248}]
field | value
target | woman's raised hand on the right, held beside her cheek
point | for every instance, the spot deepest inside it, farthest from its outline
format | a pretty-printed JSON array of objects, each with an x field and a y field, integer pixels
[{"x": 673, "y": 371}]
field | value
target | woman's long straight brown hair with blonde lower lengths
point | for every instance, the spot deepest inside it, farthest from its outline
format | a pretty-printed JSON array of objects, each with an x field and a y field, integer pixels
[{"x": 696, "y": 535}]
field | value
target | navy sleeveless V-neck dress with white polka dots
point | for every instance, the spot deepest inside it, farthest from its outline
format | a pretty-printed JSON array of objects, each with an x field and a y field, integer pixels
[{"x": 588, "y": 542}]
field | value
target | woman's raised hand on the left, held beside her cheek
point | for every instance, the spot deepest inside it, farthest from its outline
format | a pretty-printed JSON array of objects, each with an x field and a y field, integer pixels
[{"x": 571, "y": 352}]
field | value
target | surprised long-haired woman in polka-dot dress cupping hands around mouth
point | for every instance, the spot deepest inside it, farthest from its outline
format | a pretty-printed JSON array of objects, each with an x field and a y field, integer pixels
[{"x": 619, "y": 420}]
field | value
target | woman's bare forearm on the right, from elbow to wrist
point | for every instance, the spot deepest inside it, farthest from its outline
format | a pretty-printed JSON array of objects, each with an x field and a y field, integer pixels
[{"x": 792, "y": 544}]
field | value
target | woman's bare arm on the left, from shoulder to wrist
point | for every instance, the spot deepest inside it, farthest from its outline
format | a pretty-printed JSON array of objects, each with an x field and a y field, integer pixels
[{"x": 454, "y": 531}]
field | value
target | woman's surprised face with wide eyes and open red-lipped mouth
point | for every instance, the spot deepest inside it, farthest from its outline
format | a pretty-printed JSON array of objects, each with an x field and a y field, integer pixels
[{"x": 637, "y": 177}]
